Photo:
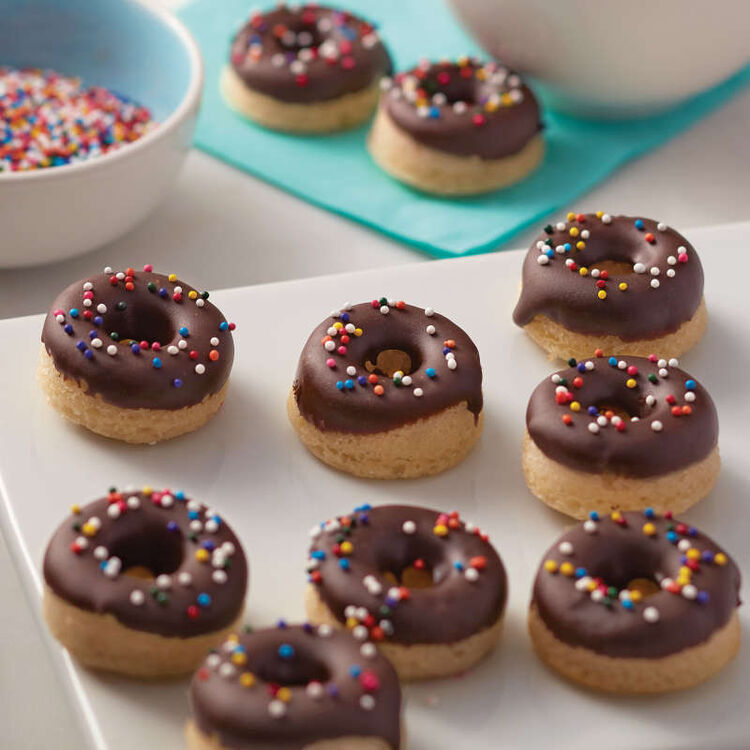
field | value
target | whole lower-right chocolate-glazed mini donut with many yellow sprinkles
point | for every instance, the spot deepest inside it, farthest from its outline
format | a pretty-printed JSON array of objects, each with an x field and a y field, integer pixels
[{"x": 635, "y": 603}]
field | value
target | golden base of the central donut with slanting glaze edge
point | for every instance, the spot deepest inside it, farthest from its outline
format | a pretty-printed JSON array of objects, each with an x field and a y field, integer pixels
[{"x": 427, "y": 446}]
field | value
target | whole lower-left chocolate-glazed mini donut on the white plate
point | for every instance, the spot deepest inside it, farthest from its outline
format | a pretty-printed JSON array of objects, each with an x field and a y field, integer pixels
[{"x": 143, "y": 582}]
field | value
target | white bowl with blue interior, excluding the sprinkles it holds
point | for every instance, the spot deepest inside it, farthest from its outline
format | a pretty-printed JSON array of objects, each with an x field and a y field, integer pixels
[{"x": 57, "y": 212}]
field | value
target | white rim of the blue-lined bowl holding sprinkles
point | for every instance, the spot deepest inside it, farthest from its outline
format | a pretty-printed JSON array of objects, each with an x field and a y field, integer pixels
[{"x": 191, "y": 97}]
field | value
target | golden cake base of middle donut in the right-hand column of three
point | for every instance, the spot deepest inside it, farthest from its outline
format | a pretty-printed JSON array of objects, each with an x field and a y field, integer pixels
[{"x": 576, "y": 493}]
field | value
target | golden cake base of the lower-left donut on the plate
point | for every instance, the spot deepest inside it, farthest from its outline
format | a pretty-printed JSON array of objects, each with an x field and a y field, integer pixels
[{"x": 100, "y": 641}]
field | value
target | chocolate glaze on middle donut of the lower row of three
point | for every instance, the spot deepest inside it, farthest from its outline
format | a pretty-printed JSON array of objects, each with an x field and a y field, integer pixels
[{"x": 456, "y": 606}]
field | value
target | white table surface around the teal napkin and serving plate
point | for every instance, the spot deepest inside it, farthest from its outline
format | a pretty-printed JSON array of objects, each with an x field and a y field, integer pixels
[{"x": 224, "y": 228}]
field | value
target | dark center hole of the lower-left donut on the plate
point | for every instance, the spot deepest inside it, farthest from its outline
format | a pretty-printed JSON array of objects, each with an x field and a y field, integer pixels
[{"x": 151, "y": 552}]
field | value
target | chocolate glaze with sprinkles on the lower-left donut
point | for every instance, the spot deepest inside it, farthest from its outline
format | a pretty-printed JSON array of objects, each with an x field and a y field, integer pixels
[{"x": 159, "y": 536}]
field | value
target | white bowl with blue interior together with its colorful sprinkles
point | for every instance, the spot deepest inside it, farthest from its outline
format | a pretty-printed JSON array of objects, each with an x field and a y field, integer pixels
[{"x": 98, "y": 103}]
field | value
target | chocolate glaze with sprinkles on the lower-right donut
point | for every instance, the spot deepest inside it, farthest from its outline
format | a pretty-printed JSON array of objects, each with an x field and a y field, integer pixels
[{"x": 617, "y": 554}]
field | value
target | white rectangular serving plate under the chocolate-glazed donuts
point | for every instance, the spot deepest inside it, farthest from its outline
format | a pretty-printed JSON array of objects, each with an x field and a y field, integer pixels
[{"x": 248, "y": 463}]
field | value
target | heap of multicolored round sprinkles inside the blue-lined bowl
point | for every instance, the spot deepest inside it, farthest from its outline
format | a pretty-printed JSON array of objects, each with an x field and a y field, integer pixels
[{"x": 48, "y": 120}]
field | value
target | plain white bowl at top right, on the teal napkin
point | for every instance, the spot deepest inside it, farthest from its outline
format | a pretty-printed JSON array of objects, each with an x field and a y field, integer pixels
[{"x": 614, "y": 58}]
